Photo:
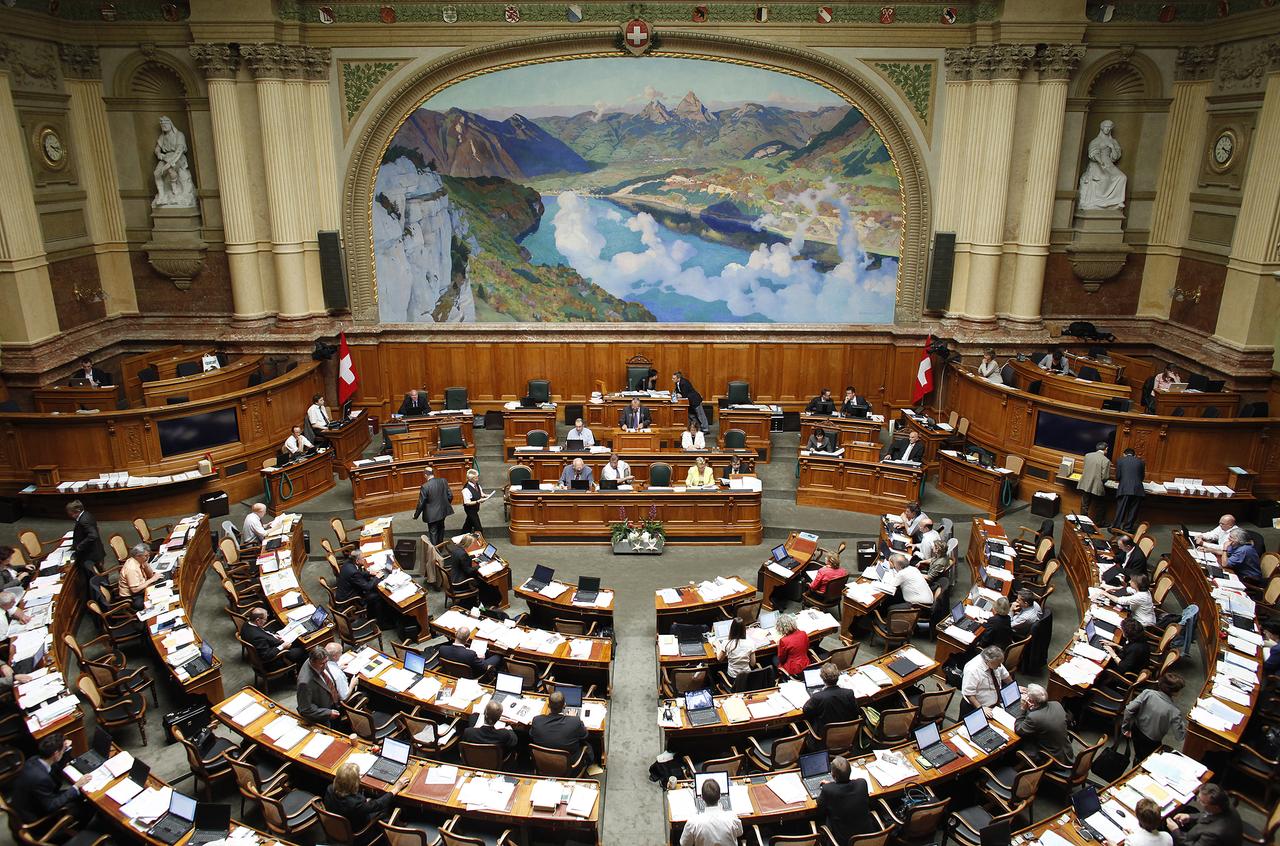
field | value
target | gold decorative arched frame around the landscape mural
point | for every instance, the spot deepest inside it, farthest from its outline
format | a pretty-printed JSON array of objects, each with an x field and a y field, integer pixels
[{"x": 399, "y": 102}]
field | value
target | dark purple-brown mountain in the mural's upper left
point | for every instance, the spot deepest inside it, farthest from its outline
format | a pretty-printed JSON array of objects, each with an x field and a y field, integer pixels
[{"x": 463, "y": 144}]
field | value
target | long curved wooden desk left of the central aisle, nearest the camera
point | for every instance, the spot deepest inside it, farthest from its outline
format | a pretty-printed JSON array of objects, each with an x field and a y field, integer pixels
[{"x": 413, "y": 790}]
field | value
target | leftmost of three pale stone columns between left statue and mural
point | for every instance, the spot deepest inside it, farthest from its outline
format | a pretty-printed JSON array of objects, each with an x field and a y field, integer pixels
[{"x": 236, "y": 194}]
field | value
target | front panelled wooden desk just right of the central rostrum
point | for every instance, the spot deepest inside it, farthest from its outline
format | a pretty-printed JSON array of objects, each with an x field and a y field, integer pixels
[{"x": 872, "y": 488}]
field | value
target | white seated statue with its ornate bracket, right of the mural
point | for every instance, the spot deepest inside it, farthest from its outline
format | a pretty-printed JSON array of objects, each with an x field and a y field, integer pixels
[{"x": 1099, "y": 253}]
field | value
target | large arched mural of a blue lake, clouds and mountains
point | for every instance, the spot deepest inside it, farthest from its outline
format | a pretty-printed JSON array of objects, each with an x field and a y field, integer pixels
[{"x": 604, "y": 190}]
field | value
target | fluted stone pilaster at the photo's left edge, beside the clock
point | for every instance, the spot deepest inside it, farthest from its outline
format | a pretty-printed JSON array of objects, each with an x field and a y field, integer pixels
[{"x": 28, "y": 310}]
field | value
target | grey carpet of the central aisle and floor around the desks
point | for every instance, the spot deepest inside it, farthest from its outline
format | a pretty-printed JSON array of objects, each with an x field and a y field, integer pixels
[{"x": 633, "y": 810}]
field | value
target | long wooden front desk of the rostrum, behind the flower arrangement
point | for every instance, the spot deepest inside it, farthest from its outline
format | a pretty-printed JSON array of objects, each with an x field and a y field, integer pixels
[{"x": 689, "y": 516}]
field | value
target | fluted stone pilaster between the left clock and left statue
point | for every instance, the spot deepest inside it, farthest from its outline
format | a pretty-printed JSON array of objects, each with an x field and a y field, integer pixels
[{"x": 95, "y": 162}]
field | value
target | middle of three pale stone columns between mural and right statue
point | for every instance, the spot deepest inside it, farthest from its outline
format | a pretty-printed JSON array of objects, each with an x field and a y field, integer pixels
[{"x": 1007, "y": 63}]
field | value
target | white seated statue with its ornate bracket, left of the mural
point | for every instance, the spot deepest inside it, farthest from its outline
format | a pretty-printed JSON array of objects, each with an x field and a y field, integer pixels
[{"x": 176, "y": 249}]
